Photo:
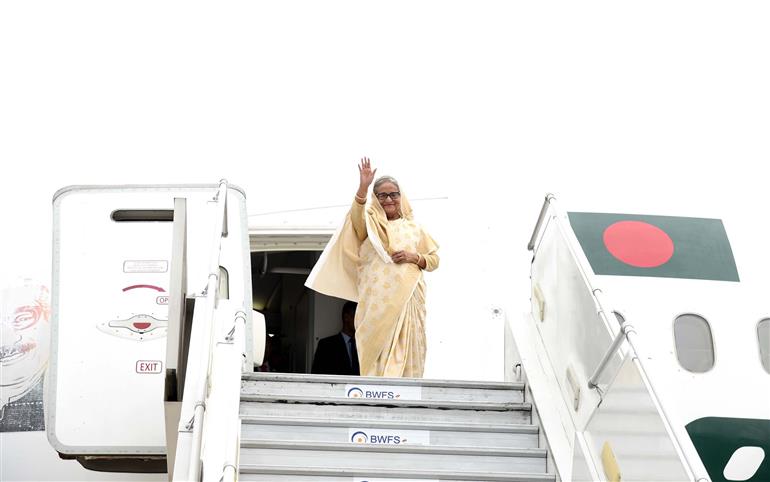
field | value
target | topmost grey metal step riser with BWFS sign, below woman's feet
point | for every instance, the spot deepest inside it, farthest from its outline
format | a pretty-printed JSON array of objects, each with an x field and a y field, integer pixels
[{"x": 380, "y": 388}]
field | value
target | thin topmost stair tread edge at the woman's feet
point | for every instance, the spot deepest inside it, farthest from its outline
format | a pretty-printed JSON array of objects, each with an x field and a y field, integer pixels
[{"x": 359, "y": 380}]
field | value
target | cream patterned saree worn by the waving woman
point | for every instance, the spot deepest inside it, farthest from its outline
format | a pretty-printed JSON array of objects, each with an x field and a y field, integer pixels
[{"x": 356, "y": 265}]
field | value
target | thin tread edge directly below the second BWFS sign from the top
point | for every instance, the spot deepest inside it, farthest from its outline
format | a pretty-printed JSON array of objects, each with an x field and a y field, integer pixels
[{"x": 411, "y": 449}]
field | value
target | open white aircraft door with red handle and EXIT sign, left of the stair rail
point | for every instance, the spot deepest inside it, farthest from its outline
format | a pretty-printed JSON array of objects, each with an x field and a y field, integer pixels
[{"x": 105, "y": 301}]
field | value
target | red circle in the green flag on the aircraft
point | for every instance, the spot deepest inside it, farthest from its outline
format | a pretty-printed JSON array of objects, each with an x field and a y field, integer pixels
[{"x": 638, "y": 244}]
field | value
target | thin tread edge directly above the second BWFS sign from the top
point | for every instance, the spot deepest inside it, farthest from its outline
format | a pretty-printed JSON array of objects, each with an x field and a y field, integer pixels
[{"x": 342, "y": 422}]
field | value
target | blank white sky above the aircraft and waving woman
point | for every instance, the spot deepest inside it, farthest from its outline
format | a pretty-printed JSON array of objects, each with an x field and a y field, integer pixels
[{"x": 655, "y": 107}]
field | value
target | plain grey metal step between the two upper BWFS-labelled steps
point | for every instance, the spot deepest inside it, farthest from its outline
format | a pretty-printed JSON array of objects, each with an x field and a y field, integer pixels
[{"x": 514, "y": 414}]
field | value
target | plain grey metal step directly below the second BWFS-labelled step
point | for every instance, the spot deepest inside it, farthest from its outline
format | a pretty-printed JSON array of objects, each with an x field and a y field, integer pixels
[{"x": 372, "y": 458}]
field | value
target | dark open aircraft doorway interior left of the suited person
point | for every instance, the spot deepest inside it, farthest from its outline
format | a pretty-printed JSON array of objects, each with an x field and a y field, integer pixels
[{"x": 296, "y": 317}]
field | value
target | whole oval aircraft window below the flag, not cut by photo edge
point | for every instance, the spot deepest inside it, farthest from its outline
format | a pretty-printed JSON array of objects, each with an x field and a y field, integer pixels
[{"x": 694, "y": 344}]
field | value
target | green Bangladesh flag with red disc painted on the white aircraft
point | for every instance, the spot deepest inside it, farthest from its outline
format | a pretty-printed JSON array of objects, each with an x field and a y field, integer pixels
[{"x": 658, "y": 246}]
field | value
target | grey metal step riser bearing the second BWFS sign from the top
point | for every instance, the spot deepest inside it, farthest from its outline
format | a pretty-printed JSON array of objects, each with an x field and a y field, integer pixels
[{"x": 347, "y": 431}]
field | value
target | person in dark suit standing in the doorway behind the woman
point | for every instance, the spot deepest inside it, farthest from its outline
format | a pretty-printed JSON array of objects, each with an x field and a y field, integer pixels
[{"x": 337, "y": 354}]
